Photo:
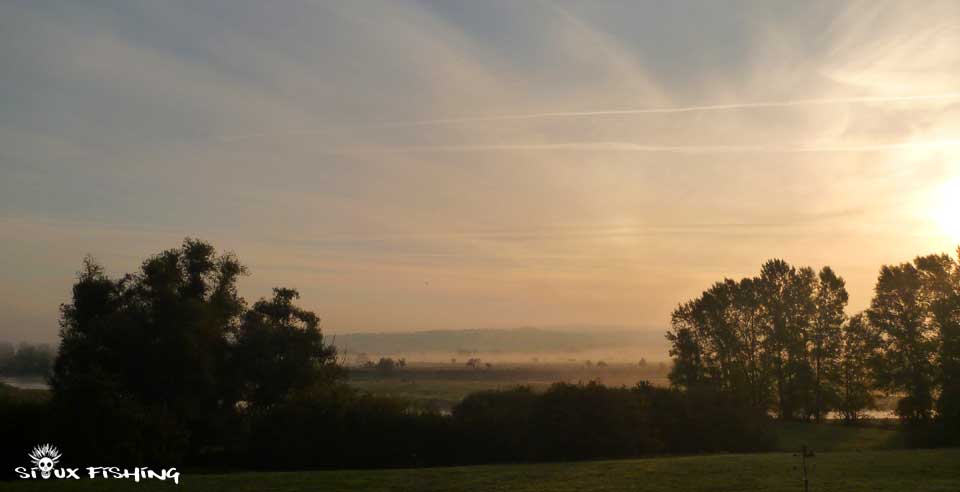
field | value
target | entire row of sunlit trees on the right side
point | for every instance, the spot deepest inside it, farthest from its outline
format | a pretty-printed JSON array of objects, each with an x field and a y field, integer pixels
[{"x": 783, "y": 342}]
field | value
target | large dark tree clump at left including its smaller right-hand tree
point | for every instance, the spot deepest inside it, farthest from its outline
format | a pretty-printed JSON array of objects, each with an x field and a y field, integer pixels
[{"x": 156, "y": 362}]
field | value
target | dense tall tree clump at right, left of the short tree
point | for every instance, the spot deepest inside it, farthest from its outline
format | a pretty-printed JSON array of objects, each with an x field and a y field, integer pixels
[{"x": 772, "y": 340}]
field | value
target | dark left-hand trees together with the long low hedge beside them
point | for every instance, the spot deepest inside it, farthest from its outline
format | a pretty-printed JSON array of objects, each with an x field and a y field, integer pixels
[{"x": 169, "y": 365}]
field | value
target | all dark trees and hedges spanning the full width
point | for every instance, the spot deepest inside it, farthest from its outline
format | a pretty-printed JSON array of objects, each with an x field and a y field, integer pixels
[{"x": 169, "y": 365}]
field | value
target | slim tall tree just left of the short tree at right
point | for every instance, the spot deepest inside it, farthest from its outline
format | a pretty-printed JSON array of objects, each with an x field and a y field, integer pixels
[{"x": 825, "y": 338}]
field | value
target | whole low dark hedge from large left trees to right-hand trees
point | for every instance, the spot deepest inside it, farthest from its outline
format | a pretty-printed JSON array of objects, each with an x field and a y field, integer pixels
[{"x": 565, "y": 422}]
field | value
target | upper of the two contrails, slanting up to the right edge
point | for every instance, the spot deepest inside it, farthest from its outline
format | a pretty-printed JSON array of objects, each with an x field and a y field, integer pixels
[{"x": 686, "y": 109}]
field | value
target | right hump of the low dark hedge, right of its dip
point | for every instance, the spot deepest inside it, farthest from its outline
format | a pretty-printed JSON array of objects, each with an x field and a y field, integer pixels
[{"x": 590, "y": 421}]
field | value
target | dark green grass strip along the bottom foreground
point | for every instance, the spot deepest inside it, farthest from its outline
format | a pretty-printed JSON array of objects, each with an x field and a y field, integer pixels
[{"x": 903, "y": 470}]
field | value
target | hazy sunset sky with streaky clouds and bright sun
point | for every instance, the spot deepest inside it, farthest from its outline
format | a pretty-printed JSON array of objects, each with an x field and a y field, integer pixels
[{"x": 414, "y": 165}]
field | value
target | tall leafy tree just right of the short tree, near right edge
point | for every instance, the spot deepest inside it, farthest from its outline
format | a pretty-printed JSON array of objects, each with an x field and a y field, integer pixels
[{"x": 904, "y": 363}]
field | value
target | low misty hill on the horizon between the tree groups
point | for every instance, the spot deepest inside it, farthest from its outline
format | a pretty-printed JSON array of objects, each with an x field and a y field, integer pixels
[{"x": 517, "y": 340}]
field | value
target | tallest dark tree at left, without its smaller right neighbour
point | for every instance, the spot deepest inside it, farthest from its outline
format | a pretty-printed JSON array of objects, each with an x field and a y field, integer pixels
[{"x": 153, "y": 344}]
